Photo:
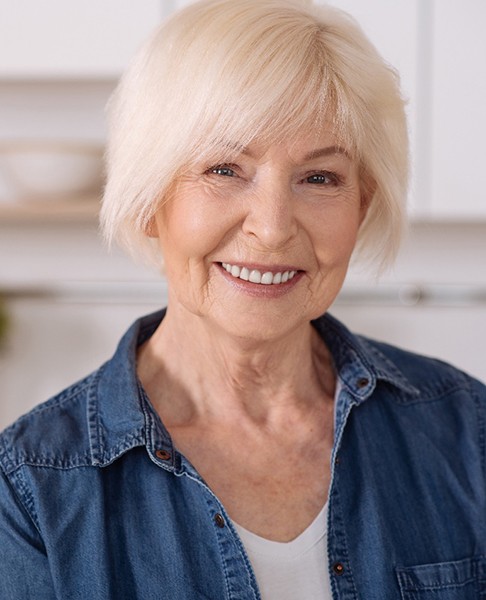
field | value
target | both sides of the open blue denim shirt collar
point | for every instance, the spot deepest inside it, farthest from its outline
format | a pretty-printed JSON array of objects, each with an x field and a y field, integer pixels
[{"x": 120, "y": 416}]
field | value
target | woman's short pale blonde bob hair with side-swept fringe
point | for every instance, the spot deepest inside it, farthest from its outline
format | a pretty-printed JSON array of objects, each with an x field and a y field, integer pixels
[{"x": 221, "y": 73}]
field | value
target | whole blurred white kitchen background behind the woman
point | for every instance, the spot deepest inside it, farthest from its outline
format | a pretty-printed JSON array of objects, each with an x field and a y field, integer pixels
[{"x": 65, "y": 301}]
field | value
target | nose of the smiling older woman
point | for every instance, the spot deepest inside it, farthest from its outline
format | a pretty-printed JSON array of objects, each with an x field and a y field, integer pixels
[{"x": 270, "y": 218}]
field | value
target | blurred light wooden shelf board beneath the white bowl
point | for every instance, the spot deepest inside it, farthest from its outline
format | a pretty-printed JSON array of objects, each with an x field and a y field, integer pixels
[{"x": 82, "y": 209}]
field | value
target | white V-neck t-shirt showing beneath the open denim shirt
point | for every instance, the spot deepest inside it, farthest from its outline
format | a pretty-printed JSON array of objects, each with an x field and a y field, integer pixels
[{"x": 296, "y": 570}]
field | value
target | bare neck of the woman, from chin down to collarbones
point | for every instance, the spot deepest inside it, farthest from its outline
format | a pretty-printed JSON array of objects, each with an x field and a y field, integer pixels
[{"x": 216, "y": 376}]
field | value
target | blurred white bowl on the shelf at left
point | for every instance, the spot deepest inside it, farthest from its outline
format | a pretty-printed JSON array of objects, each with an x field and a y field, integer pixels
[{"x": 52, "y": 170}]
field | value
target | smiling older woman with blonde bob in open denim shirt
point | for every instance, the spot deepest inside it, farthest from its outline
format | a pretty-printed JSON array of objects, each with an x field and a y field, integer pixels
[{"x": 243, "y": 444}]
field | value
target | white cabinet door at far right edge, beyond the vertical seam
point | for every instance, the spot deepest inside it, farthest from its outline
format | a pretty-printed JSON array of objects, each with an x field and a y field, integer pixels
[{"x": 458, "y": 123}]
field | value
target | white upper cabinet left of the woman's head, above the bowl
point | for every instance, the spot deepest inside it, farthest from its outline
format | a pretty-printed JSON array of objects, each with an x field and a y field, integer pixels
[{"x": 56, "y": 39}]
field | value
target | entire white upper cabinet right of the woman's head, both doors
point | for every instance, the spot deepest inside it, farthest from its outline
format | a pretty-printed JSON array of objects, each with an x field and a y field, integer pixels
[{"x": 439, "y": 47}]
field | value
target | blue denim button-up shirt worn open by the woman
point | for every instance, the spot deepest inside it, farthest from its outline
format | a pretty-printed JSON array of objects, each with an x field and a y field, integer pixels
[{"x": 96, "y": 503}]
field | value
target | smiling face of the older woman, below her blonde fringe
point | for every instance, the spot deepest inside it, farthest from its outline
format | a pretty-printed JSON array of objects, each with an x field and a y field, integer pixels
[{"x": 260, "y": 246}]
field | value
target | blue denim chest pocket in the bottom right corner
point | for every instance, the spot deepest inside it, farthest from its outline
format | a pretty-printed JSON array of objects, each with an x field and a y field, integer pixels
[{"x": 457, "y": 580}]
